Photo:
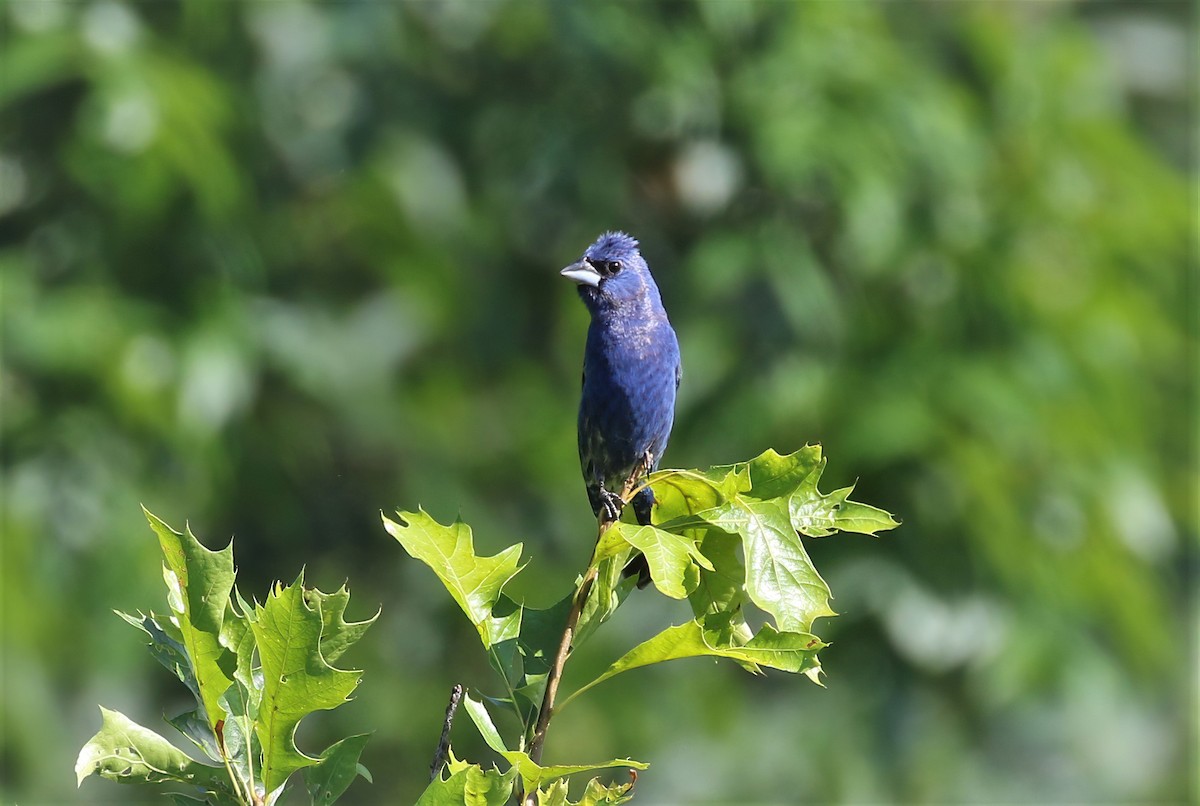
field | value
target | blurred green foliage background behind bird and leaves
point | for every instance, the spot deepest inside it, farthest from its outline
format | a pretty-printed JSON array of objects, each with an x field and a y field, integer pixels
[{"x": 273, "y": 267}]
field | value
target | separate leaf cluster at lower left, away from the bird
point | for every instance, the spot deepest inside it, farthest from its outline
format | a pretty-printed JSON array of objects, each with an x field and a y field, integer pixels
[{"x": 255, "y": 670}]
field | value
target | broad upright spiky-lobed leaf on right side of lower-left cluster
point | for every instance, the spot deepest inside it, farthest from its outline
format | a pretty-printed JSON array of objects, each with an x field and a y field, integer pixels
[{"x": 297, "y": 681}]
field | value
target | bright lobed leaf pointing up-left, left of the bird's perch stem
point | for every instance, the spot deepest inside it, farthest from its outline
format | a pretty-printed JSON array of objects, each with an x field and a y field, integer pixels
[{"x": 475, "y": 582}]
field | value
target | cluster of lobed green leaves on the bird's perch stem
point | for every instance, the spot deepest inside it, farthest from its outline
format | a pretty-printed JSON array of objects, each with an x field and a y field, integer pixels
[{"x": 728, "y": 539}]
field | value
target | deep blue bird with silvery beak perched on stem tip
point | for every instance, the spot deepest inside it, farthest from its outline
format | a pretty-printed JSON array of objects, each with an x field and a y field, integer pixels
[{"x": 632, "y": 372}]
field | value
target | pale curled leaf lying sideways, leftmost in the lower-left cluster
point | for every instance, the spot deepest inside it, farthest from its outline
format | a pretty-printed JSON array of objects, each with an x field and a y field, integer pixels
[{"x": 128, "y": 753}]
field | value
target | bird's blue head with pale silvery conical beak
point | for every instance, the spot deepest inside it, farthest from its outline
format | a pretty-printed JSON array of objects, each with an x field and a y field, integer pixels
[{"x": 613, "y": 275}]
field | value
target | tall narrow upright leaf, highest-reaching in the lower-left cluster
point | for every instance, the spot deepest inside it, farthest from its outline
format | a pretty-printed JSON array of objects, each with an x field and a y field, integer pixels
[{"x": 199, "y": 584}]
